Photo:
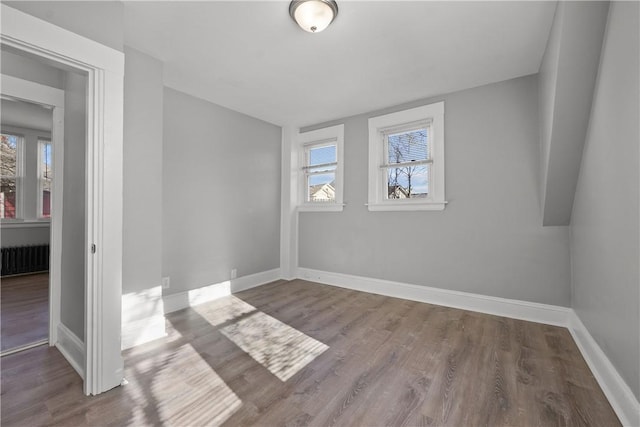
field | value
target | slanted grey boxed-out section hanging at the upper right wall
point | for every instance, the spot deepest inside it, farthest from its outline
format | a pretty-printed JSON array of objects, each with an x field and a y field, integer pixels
[{"x": 567, "y": 80}]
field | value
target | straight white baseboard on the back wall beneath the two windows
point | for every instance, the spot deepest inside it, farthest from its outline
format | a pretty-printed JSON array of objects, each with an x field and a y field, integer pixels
[{"x": 524, "y": 310}]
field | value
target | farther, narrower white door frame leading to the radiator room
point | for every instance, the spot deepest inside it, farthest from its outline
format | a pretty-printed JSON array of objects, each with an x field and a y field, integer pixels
[{"x": 52, "y": 97}]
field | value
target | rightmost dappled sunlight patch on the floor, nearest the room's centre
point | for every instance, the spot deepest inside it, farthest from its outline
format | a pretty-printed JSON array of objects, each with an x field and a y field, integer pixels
[{"x": 281, "y": 349}]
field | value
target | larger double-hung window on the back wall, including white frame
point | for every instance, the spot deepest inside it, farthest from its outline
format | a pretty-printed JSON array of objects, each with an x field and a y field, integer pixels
[{"x": 406, "y": 160}]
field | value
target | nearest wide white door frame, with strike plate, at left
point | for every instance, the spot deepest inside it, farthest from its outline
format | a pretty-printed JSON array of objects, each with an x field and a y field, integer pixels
[{"x": 104, "y": 67}]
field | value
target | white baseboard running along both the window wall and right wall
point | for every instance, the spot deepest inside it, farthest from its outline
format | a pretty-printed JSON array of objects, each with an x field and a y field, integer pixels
[{"x": 617, "y": 391}]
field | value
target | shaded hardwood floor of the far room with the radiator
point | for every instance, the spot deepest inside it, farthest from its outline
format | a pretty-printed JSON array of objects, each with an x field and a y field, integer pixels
[{"x": 24, "y": 305}]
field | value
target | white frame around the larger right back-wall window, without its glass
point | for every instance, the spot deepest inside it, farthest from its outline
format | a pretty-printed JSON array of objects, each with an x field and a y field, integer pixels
[{"x": 432, "y": 116}]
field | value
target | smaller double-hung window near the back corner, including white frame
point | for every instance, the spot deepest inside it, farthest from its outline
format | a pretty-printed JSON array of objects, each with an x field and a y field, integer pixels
[{"x": 321, "y": 172}]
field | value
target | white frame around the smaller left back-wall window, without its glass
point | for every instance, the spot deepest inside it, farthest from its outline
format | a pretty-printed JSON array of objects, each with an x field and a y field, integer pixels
[{"x": 333, "y": 135}]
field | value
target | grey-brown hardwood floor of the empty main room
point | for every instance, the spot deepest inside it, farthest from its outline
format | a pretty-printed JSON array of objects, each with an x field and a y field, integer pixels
[{"x": 298, "y": 353}]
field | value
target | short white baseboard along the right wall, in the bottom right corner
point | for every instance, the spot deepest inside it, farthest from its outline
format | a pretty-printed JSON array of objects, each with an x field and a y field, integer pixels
[{"x": 614, "y": 387}]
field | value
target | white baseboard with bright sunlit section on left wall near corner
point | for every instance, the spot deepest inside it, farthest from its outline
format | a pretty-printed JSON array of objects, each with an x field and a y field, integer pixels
[{"x": 178, "y": 301}]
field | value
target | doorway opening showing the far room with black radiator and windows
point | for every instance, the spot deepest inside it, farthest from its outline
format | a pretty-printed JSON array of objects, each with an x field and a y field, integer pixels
[{"x": 26, "y": 171}]
